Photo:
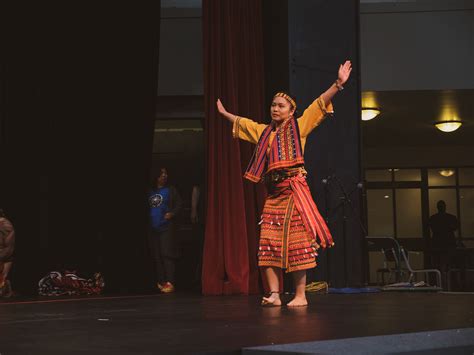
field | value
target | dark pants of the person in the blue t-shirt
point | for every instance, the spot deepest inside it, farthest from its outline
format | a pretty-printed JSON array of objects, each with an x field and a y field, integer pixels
[{"x": 164, "y": 251}]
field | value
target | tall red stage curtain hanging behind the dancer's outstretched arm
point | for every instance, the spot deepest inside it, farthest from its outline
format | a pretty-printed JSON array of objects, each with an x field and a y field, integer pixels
[{"x": 233, "y": 72}]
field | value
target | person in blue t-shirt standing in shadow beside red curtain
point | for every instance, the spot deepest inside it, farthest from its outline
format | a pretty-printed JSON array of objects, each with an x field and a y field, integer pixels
[{"x": 165, "y": 203}]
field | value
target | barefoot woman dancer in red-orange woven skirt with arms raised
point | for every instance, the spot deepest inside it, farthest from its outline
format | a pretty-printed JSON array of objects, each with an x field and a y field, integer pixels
[{"x": 292, "y": 230}]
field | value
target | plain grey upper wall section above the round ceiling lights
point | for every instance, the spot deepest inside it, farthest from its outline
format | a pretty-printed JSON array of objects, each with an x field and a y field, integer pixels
[{"x": 417, "y": 45}]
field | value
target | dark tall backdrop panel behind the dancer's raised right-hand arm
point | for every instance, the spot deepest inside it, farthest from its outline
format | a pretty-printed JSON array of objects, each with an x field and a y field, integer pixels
[{"x": 305, "y": 41}]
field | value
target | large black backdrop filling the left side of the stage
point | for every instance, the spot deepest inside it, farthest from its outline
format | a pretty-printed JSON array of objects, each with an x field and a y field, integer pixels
[{"x": 78, "y": 92}]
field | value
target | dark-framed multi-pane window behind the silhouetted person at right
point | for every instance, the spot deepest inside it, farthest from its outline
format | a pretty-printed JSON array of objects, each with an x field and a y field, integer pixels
[{"x": 400, "y": 201}]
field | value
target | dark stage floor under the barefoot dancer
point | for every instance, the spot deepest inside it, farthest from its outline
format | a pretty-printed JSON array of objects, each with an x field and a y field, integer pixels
[{"x": 181, "y": 323}]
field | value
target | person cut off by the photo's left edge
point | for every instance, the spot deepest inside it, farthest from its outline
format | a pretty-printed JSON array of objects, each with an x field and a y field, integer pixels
[{"x": 7, "y": 246}]
